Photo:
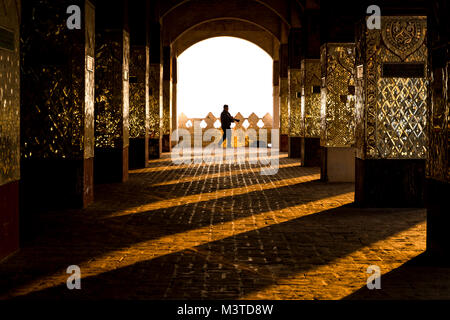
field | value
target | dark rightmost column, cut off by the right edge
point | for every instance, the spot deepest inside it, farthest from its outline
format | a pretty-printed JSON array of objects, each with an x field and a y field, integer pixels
[{"x": 438, "y": 147}]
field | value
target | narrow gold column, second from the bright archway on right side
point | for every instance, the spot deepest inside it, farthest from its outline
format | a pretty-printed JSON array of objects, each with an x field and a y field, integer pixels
[{"x": 294, "y": 102}]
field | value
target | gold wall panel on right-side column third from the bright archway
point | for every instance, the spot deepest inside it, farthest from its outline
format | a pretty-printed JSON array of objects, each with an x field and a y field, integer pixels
[{"x": 310, "y": 101}]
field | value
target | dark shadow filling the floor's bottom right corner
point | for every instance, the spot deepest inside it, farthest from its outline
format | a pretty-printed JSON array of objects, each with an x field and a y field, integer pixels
[{"x": 420, "y": 278}]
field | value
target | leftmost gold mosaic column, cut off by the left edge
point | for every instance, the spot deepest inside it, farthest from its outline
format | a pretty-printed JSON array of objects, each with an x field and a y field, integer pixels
[{"x": 9, "y": 127}]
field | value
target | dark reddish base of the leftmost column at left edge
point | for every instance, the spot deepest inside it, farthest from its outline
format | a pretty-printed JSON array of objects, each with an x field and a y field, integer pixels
[{"x": 9, "y": 219}]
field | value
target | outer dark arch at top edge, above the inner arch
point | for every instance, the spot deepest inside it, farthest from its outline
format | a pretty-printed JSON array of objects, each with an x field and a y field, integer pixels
[{"x": 176, "y": 22}]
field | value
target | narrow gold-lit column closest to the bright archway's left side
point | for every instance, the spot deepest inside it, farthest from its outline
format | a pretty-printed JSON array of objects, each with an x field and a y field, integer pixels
[{"x": 166, "y": 100}]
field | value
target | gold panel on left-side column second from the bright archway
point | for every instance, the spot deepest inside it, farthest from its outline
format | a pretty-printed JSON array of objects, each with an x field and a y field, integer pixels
[{"x": 154, "y": 105}]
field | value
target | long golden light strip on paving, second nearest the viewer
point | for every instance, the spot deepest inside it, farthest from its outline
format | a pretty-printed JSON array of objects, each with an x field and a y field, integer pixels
[{"x": 185, "y": 241}]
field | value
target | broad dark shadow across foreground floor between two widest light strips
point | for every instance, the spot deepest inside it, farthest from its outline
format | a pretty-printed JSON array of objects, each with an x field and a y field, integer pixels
[{"x": 245, "y": 263}]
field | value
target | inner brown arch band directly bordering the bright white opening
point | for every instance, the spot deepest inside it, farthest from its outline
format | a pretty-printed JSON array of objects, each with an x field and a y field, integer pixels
[{"x": 231, "y": 28}]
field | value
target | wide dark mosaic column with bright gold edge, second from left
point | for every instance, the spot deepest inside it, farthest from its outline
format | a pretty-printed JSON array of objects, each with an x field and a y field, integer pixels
[{"x": 57, "y": 108}]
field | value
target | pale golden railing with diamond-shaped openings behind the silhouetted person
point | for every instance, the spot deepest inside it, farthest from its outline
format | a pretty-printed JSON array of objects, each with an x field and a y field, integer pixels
[{"x": 249, "y": 132}]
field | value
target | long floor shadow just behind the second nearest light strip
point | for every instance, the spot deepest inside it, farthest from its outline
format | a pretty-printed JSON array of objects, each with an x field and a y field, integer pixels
[{"x": 75, "y": 237}]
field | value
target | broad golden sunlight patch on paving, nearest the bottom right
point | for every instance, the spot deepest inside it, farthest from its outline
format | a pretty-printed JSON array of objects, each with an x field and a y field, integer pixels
[{"x": 348, "y": 273}]
